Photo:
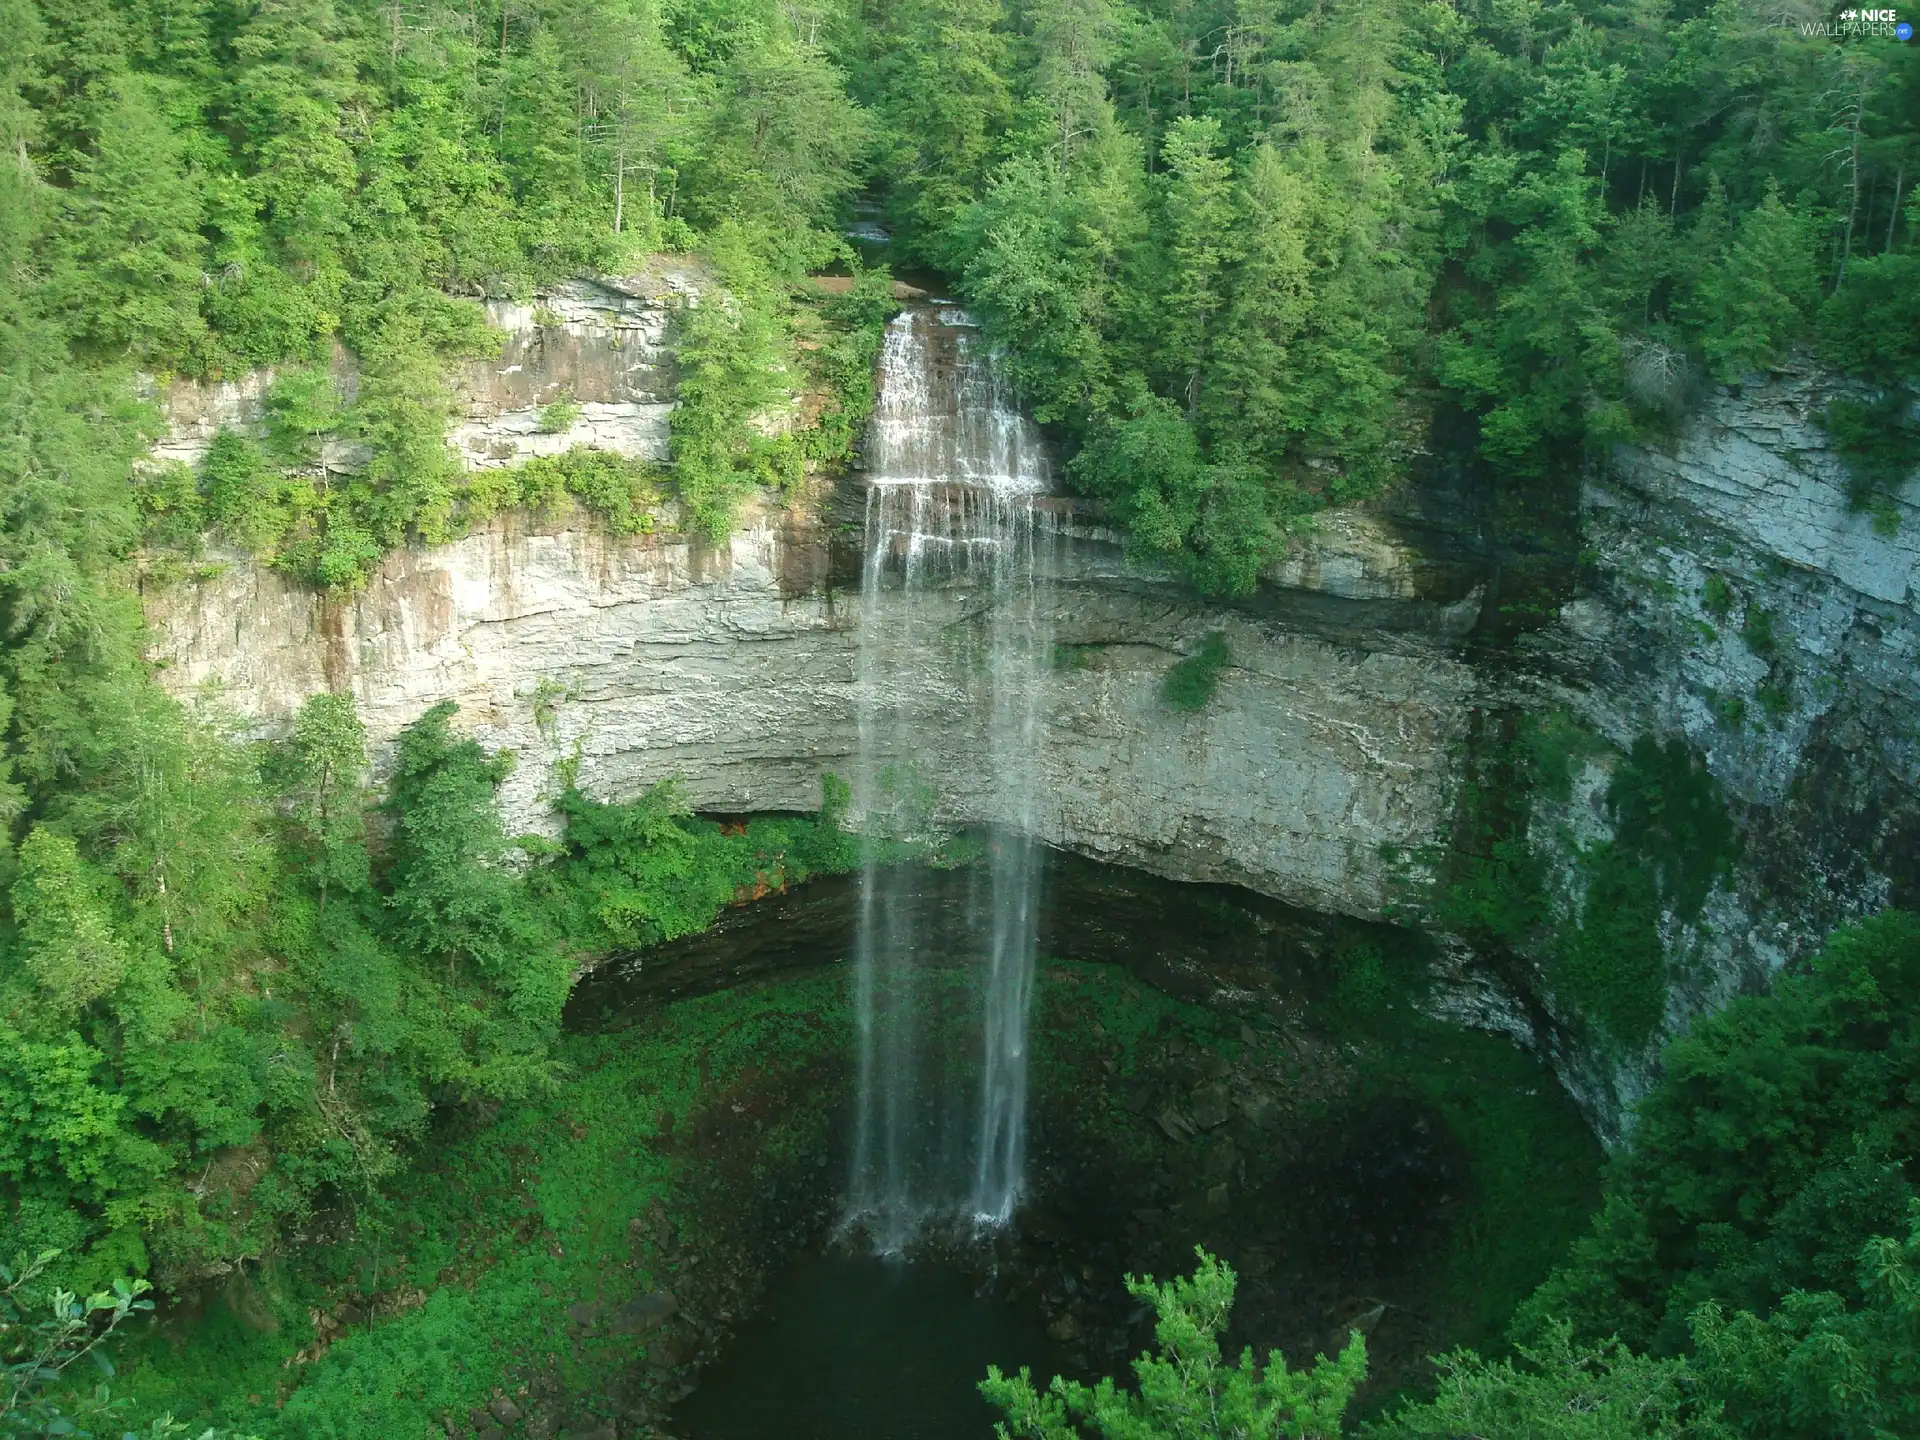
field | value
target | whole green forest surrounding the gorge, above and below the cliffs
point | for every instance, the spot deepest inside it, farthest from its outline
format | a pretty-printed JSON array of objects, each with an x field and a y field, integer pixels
[{"x": 1245, "y": 260}]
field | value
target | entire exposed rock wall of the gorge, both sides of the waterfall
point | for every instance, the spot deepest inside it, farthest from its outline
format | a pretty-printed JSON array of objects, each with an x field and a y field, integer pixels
[{"x": 1328, "y": 767}]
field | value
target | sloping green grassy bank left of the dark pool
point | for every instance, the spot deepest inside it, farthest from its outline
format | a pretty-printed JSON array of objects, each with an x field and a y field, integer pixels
[{"x": 519, "y": 1216}]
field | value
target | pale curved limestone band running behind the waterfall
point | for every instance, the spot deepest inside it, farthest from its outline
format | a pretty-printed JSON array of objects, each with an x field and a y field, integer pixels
[{"x": 732, "y": 673}]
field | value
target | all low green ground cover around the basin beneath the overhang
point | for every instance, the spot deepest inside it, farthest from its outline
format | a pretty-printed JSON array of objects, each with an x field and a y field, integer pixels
[{"x": 458, "y": 1285}]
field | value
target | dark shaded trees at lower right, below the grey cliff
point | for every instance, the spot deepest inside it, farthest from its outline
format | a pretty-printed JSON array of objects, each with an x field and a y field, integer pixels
[{"x": 1767, "y": 1157}]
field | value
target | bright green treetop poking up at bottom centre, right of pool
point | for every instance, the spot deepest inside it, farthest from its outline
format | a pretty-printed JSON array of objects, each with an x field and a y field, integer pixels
[{"x": 1188, "y": 1389}]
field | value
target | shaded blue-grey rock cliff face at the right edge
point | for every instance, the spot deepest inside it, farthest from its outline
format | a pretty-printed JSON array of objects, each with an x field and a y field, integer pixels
[{"x": 1740, "y": 602}]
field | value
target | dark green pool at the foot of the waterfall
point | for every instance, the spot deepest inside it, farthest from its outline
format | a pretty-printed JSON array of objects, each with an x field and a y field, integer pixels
[{"x": 859, "y": 1349}]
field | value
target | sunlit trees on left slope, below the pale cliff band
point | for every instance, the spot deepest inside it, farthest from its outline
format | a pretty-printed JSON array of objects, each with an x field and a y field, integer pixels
[{"x": 218, "y": 1017}]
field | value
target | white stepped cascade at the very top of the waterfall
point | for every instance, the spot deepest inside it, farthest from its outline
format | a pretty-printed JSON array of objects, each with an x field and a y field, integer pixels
[{"x": 946, "y": 414}]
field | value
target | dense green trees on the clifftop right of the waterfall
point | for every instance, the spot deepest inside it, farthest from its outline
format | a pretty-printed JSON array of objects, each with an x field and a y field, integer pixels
[{"x": 1554, "y": 222}]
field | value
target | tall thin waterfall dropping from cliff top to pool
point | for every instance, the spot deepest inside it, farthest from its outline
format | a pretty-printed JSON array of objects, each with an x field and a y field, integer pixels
[{"x": 951, "y": 625}]
